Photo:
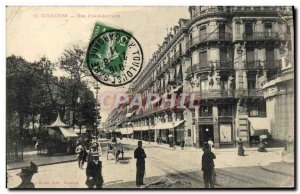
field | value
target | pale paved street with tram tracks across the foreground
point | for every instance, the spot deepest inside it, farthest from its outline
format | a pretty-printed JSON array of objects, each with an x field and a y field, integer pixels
[{"x": 168, "y": 166}]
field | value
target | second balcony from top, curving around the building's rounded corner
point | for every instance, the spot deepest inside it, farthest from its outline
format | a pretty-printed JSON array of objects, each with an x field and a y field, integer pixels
[{"x": 215, "y": 36}]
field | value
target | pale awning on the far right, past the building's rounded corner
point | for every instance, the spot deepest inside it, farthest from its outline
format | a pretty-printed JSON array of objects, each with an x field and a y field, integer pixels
[{"x": 259, "y": 126}]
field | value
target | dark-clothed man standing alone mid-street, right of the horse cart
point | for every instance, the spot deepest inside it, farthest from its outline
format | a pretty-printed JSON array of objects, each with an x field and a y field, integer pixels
[{"x": 140, "y": 156}]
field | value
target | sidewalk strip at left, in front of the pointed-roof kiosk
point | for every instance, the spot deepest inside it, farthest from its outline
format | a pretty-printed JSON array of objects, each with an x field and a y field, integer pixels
[{"x": 40, "y": 160}]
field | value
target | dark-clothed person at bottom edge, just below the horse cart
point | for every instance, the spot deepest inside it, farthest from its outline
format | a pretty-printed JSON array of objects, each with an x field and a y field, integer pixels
[{"x": 94, "y": 172}]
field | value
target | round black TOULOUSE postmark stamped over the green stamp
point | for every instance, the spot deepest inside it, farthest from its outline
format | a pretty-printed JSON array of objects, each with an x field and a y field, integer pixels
[{"x": 114, "y": 58}]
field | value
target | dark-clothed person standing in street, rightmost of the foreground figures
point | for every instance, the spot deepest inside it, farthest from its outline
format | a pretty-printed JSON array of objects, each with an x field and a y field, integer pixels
[{"x": 208, "y": 166}]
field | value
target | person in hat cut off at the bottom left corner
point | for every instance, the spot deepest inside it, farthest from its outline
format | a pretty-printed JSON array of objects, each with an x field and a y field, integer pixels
[{"x": 26, "y": 176}]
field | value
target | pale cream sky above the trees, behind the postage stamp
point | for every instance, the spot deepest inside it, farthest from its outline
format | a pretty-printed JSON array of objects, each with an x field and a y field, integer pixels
[{"x": 34, "y": 32}]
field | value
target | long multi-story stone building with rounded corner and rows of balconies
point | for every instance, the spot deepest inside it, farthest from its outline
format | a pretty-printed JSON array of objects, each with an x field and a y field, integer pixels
[{"x": 222, "y": 54}]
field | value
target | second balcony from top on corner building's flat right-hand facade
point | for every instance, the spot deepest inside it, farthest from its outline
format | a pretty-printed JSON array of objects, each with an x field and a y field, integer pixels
[{"x": 257, "y": 36}]
